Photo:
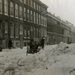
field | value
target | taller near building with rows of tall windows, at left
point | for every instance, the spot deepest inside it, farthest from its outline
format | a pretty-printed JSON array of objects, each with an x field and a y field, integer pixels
[{"x": 21, "y": 20}]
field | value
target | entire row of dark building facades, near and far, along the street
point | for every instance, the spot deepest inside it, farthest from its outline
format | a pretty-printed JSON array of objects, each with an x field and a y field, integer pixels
[{"x": 21, "y": 20}]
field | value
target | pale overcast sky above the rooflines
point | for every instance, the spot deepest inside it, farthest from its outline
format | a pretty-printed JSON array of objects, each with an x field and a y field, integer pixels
[{"x": 63, "y": 8}]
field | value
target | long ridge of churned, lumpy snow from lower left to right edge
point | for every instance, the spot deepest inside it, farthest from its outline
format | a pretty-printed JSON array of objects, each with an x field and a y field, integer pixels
[{"x": 43, "y": 59}]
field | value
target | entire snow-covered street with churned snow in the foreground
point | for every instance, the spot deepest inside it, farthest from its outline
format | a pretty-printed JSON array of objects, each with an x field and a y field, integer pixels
[{"x": 53, "y": 60}]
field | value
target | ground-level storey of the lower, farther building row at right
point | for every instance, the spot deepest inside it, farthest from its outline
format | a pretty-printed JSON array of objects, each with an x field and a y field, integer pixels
[{"x": 54, "y": 38}]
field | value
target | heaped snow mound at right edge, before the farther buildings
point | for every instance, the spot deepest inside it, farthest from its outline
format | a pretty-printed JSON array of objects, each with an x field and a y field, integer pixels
[{"x": 64, "y": 48}]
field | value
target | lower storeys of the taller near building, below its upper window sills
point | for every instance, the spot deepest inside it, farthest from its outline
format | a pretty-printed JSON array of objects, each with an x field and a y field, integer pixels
[{"x": 20, "y": 32}]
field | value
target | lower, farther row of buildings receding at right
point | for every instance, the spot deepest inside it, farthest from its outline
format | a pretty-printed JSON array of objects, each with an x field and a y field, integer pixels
[{"x": 59, "y": 30}]
